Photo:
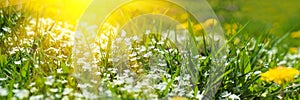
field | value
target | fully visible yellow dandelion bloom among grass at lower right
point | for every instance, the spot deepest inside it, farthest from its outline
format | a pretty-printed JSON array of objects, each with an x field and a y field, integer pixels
[{"x": 280, "y": 74}]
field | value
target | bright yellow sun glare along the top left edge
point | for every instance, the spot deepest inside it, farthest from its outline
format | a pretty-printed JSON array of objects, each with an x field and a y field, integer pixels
[{"x": 60, "y": 10}]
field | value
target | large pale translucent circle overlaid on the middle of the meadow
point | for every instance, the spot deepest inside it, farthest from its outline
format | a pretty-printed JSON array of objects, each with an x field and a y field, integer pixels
[{"x": 146, "y": 43}]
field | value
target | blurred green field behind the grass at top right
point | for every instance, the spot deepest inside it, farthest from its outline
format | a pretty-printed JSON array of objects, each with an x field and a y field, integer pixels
[{"x": 263, "y": 15}]
